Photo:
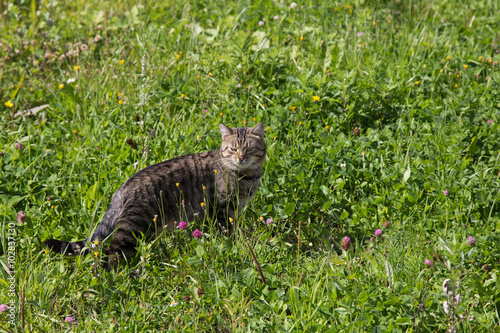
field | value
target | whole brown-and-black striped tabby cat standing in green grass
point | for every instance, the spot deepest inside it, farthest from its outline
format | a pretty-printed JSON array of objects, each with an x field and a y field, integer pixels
[{"x": 219, "y": 183}]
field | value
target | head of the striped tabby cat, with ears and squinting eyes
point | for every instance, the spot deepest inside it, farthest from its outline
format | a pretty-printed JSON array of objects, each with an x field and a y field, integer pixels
[{"x": 243, "y": 148}]
